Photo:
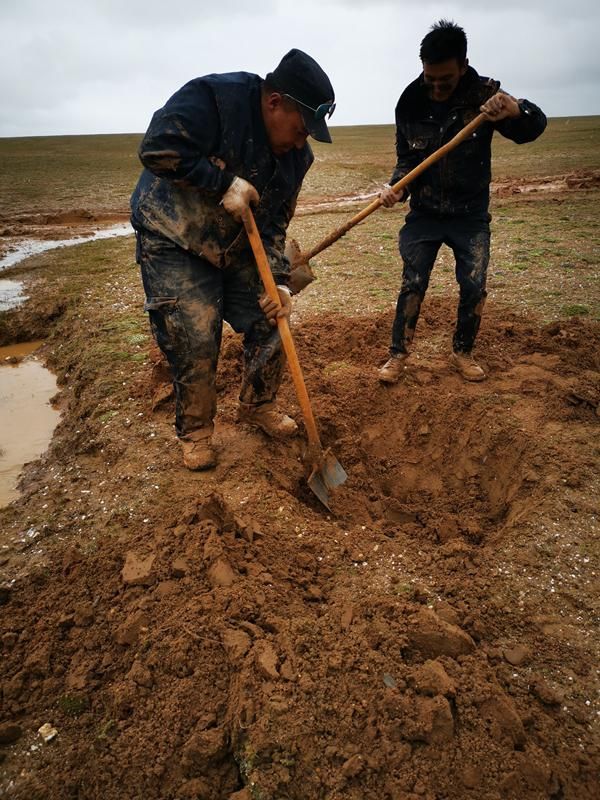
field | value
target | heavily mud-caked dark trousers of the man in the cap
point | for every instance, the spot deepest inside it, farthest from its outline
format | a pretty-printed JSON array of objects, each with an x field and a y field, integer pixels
[{"x": 187, "y": 300}]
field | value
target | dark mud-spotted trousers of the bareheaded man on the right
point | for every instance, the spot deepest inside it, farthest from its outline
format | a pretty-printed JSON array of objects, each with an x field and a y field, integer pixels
[{"x": 419, "y": 242}]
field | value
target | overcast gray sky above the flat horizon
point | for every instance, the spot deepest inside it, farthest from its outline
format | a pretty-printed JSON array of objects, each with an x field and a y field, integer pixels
[{"x": 104, "y": 66}]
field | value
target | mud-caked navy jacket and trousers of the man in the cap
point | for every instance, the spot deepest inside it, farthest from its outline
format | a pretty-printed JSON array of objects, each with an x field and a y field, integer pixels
[{"x": 196, "y": 262}]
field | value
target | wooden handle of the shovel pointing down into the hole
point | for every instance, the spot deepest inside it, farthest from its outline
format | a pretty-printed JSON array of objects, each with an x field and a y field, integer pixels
[{"x": 284, "y": 329}]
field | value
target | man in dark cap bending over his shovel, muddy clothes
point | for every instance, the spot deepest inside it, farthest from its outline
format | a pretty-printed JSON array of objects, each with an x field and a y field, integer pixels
[{"x": 222, "y": 143}]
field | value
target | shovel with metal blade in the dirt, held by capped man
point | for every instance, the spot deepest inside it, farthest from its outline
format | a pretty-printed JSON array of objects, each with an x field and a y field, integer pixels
[{"x": 326, "y": 471}]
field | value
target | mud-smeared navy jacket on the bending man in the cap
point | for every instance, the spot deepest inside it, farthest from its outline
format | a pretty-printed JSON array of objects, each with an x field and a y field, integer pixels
[{"x": 208, "y": 132}]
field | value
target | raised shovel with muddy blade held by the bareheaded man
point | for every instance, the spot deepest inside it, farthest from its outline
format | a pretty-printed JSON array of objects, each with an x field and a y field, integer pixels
[{"x": 302, "y": 273}]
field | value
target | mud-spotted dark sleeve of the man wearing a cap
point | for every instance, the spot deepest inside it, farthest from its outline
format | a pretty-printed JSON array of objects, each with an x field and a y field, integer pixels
[{"x": 181, "y": 138}]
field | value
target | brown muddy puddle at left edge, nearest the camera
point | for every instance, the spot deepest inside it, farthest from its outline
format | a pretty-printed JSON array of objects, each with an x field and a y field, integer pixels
[{"x": 27, "y": 420}]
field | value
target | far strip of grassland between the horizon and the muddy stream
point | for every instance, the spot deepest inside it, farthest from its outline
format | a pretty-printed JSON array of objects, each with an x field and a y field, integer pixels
[{"x": 64, "y": 172}]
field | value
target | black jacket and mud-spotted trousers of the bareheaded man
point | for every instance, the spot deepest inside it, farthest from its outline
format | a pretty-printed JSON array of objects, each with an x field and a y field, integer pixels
[{"x": 449, "y": 202}]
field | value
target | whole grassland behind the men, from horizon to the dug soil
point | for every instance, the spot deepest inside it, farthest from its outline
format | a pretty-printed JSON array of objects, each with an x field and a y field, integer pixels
[{"x": 545, "y": 247}]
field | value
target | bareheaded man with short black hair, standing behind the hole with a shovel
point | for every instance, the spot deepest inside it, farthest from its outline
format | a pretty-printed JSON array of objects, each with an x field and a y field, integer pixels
[{"x": 449, "y": 201}]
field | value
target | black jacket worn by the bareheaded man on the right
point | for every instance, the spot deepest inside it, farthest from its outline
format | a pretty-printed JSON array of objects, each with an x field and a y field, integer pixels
[{"x": 458, "y": 184}]
